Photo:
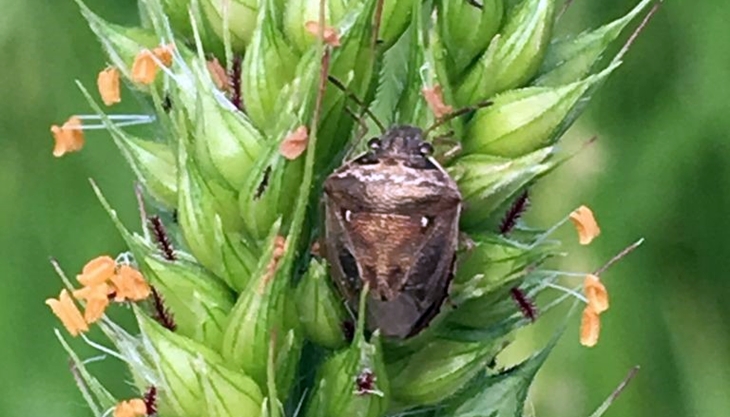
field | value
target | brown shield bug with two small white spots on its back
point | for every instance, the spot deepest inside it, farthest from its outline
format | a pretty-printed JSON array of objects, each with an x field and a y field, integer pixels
[{"x": 392, "y": 220}]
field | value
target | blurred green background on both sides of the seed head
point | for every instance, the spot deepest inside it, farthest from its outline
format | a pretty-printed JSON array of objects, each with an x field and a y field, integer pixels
[{"x": 661, "y": 170}]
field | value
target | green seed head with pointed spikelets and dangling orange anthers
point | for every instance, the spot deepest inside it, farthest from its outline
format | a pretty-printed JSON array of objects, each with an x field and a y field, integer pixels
[{"x": 254, "y": 104}]
